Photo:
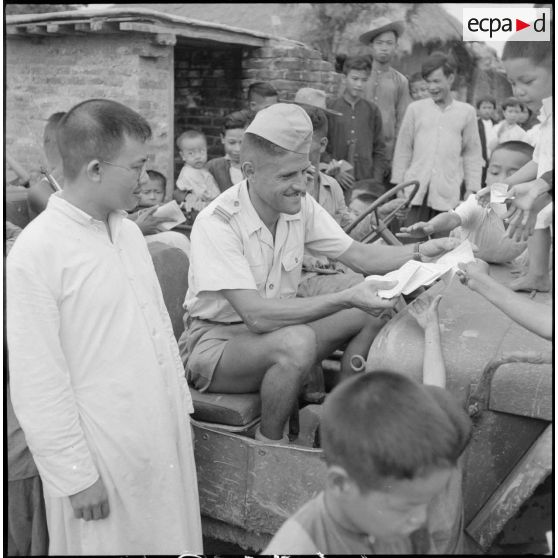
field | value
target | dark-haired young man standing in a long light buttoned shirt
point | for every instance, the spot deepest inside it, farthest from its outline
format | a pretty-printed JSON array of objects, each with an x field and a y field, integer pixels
[{"x": 438, "y": 145}]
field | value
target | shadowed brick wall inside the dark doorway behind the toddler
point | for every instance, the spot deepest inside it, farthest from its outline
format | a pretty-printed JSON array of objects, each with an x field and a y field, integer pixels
[{"x": 207, "y": 87}]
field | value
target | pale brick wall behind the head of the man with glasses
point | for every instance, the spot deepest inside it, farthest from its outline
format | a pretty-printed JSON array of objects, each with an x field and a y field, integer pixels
[{"x": 51, "y": 74}]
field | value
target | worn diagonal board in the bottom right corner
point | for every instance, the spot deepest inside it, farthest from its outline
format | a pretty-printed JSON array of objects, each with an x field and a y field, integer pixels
[{"x": 515, "y": 490}]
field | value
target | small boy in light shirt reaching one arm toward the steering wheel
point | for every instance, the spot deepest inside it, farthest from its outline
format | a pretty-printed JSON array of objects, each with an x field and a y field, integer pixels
[{"x": 483, "y": 226}]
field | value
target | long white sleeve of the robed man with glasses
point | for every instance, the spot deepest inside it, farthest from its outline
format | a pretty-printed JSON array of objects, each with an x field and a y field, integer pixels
[{"x": 41, "y": 389}]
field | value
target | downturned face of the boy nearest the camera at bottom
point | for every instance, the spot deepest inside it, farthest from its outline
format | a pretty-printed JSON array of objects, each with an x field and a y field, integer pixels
[{"x": 395, "y": 512}]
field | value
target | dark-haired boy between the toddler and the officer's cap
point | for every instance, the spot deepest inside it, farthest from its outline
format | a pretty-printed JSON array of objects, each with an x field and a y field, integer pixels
[{"x": 226, "y": 170}]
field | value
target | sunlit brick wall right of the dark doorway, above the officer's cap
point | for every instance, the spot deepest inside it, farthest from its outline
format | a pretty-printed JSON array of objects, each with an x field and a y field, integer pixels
[{"x": 288, "y": 66}]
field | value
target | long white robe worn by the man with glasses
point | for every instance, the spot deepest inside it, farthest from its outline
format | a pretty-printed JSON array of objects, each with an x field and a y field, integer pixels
[{"x": 98, "y": 385}]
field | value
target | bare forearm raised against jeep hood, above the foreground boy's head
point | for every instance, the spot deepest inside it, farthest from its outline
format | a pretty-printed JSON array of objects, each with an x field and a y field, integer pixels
[{"x": 425, "y": 312}]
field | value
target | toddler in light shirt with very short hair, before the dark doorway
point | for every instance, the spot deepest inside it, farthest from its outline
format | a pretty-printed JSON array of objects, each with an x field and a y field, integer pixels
[{"x": 196, "y": 185}]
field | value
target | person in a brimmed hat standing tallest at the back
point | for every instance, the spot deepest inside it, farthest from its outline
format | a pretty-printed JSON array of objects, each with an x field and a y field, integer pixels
[{"x": 387, "y": 88}]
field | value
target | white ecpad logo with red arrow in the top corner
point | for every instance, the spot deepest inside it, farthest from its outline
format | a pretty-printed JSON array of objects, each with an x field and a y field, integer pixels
[{"x": 502, "y": 24}]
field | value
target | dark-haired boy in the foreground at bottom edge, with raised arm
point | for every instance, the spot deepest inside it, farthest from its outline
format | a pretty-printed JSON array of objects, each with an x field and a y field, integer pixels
[{"x": 392, "y": 447}]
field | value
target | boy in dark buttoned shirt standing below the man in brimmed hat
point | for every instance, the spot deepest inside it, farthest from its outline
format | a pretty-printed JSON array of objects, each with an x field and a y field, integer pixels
[{"x": 356, "y": 136}]
